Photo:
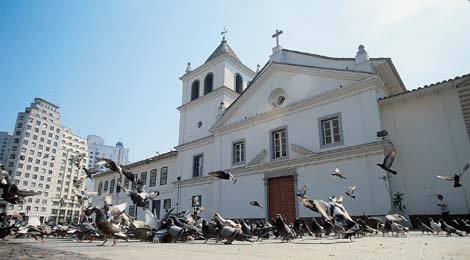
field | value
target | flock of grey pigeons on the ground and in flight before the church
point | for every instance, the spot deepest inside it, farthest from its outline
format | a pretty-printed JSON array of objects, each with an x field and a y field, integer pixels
[{"x": 111, "y": 221}]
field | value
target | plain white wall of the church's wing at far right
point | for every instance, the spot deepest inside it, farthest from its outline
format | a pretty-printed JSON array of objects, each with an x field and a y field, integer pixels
[{"x": 429, "y": 134}]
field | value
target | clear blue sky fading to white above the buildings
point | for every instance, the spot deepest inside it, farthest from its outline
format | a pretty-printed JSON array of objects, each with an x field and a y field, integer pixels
[{"x": 113, "y": 66}]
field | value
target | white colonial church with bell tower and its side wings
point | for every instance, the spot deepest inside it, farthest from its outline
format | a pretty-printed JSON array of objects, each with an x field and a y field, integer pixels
[{"x": 293, "y": 122}]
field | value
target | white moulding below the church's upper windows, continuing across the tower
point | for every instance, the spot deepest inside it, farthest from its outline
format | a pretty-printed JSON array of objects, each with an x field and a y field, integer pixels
[{"x": 341, "y": 154}]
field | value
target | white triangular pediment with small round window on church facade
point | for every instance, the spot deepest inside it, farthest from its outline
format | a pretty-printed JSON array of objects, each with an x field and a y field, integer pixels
[{"x": 279, "y": 86}]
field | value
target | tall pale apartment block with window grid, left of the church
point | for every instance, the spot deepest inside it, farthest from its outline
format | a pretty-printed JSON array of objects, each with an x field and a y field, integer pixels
[{"x": 39, "y": 160}]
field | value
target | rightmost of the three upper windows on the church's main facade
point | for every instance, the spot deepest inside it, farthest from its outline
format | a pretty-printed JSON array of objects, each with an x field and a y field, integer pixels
[{"x": 330, "y": 131}]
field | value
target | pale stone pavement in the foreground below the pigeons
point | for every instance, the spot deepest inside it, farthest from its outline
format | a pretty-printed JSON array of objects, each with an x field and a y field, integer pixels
[{"x": 414, "y": 246}]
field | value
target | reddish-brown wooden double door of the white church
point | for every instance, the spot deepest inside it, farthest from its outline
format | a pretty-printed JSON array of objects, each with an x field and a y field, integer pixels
[{"x": 281, "y": 198}]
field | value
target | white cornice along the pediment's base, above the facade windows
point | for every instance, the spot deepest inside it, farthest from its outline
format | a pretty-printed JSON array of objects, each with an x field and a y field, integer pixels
[{"x": 337, "y": 94}]
